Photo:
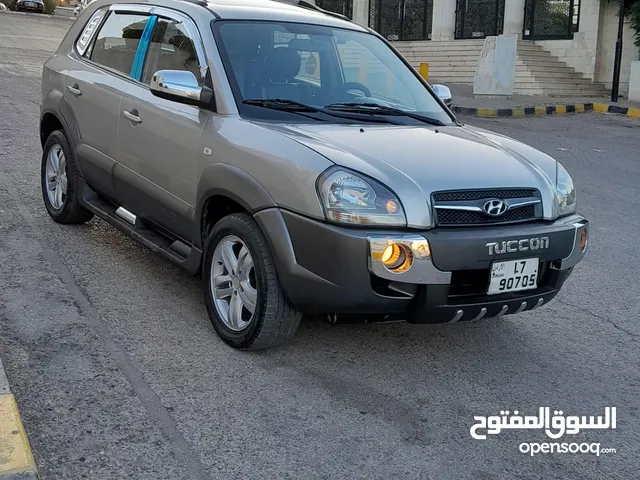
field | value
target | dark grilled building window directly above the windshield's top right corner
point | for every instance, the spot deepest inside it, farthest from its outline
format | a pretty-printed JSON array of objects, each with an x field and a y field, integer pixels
[{"x": 401, "y": 19}]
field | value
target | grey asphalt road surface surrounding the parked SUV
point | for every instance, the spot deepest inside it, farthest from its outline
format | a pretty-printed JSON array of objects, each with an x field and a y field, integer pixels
[{"x": 119, "y": 374}]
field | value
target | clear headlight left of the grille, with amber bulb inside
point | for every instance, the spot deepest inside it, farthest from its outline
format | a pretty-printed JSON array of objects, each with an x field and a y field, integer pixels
[{"x": 352, "y": 198}]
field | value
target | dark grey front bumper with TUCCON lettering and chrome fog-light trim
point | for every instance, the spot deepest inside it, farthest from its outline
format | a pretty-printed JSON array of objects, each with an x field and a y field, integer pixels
[{"x": 331, "y": 269}]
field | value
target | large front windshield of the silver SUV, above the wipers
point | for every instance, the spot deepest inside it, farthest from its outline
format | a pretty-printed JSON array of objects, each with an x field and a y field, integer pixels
[{"x": 319, "y": 66}]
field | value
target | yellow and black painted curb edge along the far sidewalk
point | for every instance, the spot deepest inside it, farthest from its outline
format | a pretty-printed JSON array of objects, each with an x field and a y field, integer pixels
[{"x": 521, "y": 112}]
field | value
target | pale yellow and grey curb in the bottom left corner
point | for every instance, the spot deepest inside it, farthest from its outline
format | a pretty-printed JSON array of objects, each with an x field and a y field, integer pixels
[{"x": 16, "y": 459}]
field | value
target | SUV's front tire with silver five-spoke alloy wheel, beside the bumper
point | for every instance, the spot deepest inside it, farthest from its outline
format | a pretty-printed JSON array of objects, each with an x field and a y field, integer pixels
[{"x": 244, "y": 299}]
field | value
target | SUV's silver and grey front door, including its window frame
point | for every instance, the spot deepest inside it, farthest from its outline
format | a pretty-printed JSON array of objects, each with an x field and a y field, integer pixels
[{"x": 160, "y": 140}]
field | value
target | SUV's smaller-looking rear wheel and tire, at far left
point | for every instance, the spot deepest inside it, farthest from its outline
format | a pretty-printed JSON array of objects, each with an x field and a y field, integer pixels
[{"x": 59, "y": 181}]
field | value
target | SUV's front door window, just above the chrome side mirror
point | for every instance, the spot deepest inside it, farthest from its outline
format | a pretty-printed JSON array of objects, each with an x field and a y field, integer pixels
[{"x": 171, "y": 48}]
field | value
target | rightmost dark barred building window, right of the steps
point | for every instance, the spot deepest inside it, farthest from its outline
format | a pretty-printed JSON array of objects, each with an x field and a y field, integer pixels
[{"x": 551, "y": 19}]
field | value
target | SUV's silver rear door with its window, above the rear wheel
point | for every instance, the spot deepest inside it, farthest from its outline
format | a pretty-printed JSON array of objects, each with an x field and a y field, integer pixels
[{"x": 106, "y": 54}]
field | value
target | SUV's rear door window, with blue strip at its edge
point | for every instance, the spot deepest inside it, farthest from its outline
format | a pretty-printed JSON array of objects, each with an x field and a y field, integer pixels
[{"x": 117, "y": 41}]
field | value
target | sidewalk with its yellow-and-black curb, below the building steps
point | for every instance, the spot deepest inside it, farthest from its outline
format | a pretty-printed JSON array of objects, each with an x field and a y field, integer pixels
[{"x": 464, "y": 103}]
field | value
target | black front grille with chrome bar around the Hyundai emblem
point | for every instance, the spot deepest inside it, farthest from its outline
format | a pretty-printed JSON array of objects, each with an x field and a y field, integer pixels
[{"x": 450, "y": 217}]
